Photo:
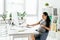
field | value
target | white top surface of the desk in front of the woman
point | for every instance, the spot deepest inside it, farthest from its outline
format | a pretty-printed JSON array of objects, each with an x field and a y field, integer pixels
[{"x": 21, "y": 30}]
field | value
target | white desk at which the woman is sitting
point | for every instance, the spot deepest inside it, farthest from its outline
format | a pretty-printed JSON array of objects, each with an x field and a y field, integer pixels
[{"x": 22, "y": 33}]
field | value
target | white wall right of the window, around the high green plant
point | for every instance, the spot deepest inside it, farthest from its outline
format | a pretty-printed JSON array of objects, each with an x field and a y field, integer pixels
[{"x": 53, "y": 3}]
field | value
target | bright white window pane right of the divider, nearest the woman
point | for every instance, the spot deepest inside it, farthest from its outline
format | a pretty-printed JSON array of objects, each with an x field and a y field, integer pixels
[{"x": 31, "y": 7}]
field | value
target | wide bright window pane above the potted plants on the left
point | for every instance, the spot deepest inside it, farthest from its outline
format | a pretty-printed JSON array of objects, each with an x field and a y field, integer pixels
[{"x": 15, "y": 5}]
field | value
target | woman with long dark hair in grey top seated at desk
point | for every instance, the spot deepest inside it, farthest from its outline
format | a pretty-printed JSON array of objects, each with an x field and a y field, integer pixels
[{"x": 45, "y": 26}]
